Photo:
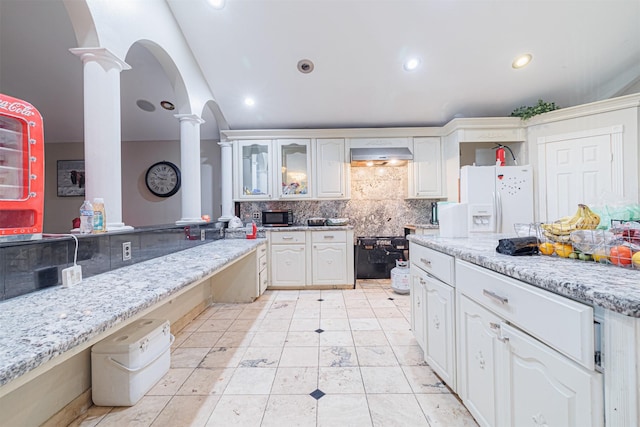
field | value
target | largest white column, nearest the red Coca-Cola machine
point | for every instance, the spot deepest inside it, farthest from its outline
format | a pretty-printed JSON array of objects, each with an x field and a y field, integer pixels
[{"x": 102, "y": 139}]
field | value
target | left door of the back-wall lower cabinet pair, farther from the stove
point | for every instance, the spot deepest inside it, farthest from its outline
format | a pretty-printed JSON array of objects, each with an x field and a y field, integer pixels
[{"x": 288, "y": 265}]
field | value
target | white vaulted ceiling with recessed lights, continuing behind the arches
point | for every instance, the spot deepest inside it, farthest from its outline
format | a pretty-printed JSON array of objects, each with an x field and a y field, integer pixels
[{"x": 583, "y": 51}]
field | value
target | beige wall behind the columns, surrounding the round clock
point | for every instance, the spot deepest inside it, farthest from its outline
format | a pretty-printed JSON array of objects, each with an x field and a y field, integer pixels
[{"x": 139, "y": 206}]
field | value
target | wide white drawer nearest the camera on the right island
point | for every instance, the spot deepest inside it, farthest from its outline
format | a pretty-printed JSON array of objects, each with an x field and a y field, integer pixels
[{"x": 563, "y": 324}]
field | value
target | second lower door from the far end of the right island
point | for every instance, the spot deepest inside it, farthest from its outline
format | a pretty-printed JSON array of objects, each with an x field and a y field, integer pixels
[{"x": 440, "y": 330}]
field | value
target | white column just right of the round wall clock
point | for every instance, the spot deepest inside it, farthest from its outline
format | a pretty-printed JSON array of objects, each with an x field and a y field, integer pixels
[{"x": 190, "y": 165}]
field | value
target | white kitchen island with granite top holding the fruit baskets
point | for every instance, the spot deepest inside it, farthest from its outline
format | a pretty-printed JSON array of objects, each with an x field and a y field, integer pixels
[{"x": 566, "y": 315}]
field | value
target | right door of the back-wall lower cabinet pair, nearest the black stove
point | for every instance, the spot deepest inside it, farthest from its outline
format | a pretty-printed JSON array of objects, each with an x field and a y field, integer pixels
[{"x": 329, "y": 265}]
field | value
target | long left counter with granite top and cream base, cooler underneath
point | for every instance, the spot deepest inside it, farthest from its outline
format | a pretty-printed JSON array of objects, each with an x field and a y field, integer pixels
[{"x": 45, "y": 336}]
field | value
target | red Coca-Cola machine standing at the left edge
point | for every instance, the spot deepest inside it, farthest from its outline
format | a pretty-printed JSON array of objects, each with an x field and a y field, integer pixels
[{"x": 21, "y": 170}]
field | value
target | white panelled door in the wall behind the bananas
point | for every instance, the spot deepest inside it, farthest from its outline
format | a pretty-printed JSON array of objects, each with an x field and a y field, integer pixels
[{"x": 577, "y": 171}]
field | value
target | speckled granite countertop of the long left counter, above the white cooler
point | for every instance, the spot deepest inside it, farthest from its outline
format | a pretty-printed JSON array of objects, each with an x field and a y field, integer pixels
[{"x": 37, "y": 327}]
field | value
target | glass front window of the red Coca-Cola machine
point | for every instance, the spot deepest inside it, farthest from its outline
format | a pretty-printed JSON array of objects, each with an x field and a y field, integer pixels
[{"x": 13, "y": 160}]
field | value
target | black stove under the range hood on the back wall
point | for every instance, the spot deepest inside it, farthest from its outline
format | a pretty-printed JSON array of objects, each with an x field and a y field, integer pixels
[{"x": 376, "y": 256}]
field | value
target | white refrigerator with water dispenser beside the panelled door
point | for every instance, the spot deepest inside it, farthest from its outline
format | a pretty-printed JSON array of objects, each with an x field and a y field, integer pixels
[{"x": 497, "y": 197}]
